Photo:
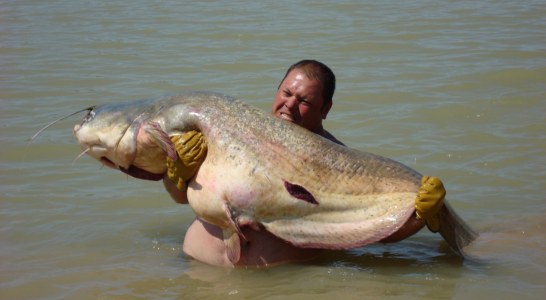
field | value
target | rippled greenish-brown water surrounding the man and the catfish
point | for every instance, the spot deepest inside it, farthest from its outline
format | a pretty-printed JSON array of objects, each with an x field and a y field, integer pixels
[{"x": 455, "y": 89}]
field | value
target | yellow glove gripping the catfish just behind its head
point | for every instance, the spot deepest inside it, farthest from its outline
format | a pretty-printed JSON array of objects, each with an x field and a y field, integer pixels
[{"x": 192, "y": 149}]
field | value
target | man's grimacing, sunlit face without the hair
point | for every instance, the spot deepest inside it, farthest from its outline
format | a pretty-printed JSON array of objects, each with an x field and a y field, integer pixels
[{"x": 299, "y": 100}]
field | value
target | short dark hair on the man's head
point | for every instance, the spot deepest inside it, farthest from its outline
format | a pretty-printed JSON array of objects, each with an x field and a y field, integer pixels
[{"x": 318, "y": 71}]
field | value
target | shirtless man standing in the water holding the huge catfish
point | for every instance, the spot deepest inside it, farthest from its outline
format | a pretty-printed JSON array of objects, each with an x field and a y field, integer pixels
[{"x": 304, "y": 97}]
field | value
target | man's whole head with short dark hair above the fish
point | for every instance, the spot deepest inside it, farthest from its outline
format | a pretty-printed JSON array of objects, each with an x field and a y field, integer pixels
[{"x": 305, "y": 94}]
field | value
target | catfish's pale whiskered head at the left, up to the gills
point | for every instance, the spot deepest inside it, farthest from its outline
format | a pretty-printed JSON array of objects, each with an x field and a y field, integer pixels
[{"x": 128, "y": 137}]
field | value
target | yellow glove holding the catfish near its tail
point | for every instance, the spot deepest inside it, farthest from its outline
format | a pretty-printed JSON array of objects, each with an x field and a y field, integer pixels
[{"x": 429, "y": 201}]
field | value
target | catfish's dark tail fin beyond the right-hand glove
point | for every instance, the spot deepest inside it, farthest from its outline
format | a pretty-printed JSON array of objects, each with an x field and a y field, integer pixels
[{"x": 454, "y": 230}]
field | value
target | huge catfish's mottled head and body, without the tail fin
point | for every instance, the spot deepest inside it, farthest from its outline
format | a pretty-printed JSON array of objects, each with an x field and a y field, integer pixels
[{"x": 301, "y": 187}]
